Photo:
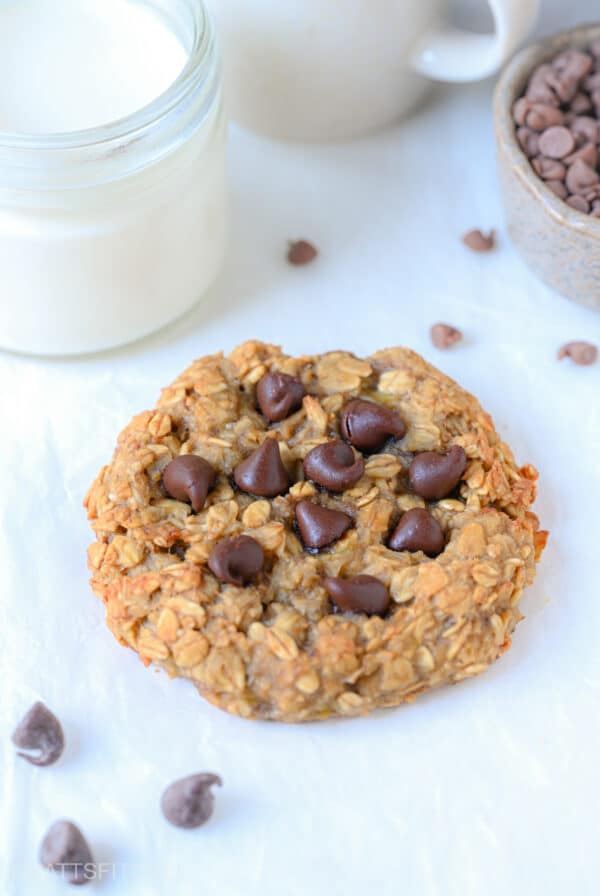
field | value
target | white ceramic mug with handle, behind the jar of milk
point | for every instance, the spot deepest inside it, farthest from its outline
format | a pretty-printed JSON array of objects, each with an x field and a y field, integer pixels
[{"x": 333, "y": 69}]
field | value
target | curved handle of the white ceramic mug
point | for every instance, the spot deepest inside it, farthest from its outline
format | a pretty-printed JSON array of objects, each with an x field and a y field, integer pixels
[{"x": 446, "y": 53}]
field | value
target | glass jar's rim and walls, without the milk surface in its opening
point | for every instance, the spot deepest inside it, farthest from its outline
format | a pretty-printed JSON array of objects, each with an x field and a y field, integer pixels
[{"x": 109, "y": 233}]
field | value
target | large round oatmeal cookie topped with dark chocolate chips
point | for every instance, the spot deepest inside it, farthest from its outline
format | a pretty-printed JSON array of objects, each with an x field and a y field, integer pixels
[{"x": 301, "y": 638}]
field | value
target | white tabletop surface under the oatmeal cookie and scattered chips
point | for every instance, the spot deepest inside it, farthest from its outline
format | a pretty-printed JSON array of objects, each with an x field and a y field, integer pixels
[{"x": 491, "y": 787}]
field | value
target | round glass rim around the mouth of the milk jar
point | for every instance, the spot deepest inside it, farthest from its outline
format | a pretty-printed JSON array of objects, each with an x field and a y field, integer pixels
[{"x": 127, "y": 127}]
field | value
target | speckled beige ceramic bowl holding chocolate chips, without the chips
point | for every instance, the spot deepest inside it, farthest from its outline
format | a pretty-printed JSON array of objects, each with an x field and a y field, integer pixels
[{"x": 561, "y": 245}]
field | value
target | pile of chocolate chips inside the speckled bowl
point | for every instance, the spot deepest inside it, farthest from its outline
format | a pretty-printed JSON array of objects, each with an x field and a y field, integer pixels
[{"x": 558, "y": 126}]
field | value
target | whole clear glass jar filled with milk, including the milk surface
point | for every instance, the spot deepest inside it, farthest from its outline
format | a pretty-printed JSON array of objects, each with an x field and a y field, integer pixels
[{"x": 112, "y": 169}]
